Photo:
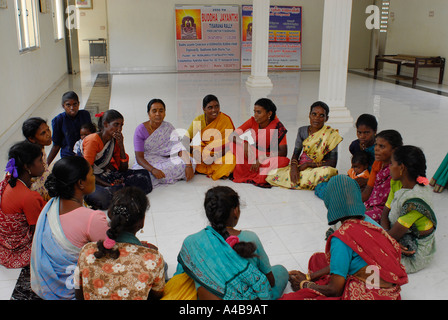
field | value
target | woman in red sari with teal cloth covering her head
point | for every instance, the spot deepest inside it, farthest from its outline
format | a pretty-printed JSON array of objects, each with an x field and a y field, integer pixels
[{"x": 361, "y": 261}]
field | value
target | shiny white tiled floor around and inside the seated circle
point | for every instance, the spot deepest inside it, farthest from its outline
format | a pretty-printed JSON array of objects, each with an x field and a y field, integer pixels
[{"x": 291, "y": 224}]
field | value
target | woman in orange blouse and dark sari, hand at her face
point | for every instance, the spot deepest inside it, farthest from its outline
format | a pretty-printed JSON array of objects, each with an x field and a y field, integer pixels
[{"x": 105, "y": 152}]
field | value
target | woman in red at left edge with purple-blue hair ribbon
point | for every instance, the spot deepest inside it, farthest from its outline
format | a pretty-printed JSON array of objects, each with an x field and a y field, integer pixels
[{"x": 19, "y": 205}]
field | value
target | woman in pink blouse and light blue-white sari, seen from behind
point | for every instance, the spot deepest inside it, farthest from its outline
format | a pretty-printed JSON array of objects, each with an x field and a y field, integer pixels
[{"x": 63, "y": 228}]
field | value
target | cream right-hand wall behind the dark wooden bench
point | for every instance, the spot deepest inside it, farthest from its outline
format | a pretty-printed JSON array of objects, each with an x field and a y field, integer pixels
[{"x": 413, "y": 31}]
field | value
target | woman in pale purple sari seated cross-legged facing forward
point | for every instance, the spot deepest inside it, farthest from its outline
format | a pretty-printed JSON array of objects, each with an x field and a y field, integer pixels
[{"x": 158, "y": 149}]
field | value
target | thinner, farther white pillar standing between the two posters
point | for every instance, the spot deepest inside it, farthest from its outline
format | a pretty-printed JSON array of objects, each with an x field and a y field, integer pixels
[{"x": 260, "y": 45}]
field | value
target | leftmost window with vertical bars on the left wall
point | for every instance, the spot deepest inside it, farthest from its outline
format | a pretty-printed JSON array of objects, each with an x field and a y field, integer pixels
[{"x": 27, "y": 26}]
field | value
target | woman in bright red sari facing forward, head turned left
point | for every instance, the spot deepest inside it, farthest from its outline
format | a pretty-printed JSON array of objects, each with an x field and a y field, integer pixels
[{"x": 269, "y": 148}]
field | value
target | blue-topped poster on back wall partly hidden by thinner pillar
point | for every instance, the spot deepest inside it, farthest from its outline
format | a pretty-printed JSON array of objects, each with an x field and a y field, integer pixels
[{"x": 285, "y": 38}]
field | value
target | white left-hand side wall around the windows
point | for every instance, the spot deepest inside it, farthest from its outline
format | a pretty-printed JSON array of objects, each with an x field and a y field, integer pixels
[{"x": 26, "y": 78}]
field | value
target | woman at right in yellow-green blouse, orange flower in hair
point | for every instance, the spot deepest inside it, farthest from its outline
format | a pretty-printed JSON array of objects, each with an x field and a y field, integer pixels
[{"x": 411, "y": 217}]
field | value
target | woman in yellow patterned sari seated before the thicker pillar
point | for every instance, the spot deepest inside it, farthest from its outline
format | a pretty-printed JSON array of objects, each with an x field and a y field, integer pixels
[{"x": 317, "y": 162}]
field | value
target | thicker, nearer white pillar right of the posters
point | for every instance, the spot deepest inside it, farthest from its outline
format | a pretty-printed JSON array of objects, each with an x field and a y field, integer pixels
[{"x": 334, "y": 58}]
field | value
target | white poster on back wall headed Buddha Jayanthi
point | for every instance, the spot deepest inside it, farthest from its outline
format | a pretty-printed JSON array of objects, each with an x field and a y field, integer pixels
[{"x": 208, "y": 38}]
